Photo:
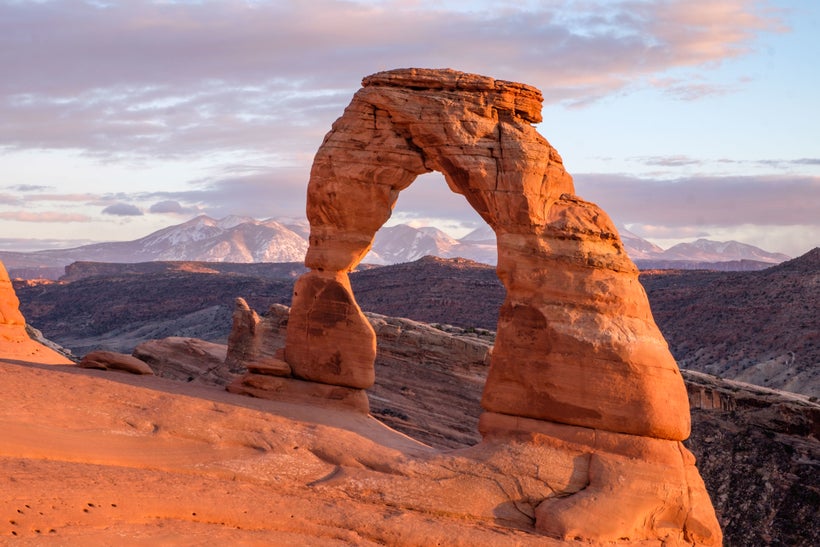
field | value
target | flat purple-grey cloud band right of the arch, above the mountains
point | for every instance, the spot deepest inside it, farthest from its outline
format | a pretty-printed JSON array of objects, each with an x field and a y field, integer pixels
[{"x": 705, "y": 200}]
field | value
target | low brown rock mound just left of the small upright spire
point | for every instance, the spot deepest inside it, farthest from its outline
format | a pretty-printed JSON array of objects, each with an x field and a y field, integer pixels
[{"x": 186, "y": 359}]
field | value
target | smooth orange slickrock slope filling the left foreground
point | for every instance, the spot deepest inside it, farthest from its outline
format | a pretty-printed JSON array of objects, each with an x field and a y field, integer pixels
[{"x": 143, "y": 460}]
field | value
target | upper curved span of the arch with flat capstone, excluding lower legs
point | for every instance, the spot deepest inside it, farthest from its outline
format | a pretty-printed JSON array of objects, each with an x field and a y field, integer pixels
[{"x": 475, "y": 130}]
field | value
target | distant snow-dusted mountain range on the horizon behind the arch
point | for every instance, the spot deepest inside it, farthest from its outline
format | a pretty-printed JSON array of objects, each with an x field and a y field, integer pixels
[{"x": 246, "y": 240}]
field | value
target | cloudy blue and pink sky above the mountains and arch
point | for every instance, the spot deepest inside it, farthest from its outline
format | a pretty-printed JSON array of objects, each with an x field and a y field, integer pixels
[{"x": 682, "y": 119}]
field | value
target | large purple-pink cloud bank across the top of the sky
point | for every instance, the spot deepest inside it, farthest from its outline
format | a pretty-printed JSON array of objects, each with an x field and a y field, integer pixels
[{"x": 151, "y": 79}]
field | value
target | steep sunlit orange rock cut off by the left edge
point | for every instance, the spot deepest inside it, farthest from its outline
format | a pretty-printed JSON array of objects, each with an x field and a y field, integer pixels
[{"x": 15, "y": 342}]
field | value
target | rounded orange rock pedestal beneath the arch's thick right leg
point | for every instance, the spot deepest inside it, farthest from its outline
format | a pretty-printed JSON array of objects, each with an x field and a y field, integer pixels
[{"x": 636, "y": 487}]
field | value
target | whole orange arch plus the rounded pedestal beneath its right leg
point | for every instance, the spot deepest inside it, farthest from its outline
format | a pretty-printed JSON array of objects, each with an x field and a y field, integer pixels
[{"x": 578, "y": 359}]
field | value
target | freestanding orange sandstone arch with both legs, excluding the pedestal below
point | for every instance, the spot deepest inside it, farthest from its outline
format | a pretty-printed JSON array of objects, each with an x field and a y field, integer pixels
[{"x": 576, "y": 341}]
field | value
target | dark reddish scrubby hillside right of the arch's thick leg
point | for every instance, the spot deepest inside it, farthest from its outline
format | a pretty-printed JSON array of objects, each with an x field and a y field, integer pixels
[{"x": 756, "y": 327}]
